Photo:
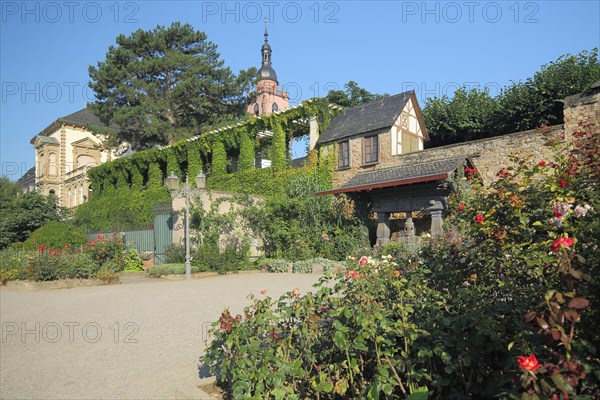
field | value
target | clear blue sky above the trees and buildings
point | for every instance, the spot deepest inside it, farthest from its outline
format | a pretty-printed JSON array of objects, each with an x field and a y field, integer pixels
[{"x": 387, "y": 47}]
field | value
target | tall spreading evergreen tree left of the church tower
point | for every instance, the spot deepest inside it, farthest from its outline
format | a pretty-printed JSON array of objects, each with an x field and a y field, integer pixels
[{"x": 164, "y": 85}]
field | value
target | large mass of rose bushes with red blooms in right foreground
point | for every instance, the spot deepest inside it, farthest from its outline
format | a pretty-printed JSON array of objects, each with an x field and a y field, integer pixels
[{"x": 504, "y": 293}]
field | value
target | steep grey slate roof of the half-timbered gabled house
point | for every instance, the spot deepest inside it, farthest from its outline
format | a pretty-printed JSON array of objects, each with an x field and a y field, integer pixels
[{"x": 378, "y": 114}]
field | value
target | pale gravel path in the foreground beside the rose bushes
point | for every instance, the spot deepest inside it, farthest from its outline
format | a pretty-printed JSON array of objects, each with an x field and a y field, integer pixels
[{"x": 138, "y": 340}]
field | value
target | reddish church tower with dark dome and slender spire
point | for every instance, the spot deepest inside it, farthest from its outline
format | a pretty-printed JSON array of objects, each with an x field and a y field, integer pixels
[{"x": 267, "y": 98}]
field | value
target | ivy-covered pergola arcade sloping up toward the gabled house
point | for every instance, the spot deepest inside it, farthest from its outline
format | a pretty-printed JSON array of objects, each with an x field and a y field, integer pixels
[{"x": 147, "y": 169}]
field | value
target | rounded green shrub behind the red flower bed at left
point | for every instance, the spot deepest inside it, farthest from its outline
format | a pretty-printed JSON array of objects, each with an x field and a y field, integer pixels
[{"x": 55, "y": 235}]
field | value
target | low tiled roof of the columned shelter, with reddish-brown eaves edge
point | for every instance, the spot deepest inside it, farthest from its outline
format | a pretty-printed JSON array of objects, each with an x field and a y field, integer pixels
[{"x": 402, "y": 175}]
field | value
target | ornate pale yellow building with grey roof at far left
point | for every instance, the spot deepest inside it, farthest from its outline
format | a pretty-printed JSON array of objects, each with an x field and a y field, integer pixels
[{"x": 64, "y": 152}]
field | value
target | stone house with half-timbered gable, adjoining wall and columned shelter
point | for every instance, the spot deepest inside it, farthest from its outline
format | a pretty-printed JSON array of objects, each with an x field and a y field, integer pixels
[{"x": 406, "y": 180}]
